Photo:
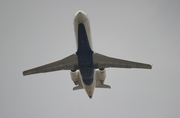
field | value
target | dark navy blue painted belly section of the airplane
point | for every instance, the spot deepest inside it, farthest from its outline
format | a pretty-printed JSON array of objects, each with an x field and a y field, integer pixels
[{"x": 84, "y": 53}]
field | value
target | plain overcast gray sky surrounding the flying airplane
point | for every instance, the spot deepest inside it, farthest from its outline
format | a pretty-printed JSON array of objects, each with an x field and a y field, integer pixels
[{"x": 36, "y": 32}]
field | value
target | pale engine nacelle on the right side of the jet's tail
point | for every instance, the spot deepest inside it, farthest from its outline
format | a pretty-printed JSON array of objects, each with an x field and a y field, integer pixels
[{"x": 100, "y": 74}]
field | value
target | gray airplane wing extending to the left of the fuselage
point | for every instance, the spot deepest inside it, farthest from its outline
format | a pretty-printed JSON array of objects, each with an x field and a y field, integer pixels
[{"x": 68, "y": 63}]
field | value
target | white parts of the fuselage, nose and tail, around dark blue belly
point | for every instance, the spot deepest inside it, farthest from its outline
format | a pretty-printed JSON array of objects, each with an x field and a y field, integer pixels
[{"x": 81, "y": 17}]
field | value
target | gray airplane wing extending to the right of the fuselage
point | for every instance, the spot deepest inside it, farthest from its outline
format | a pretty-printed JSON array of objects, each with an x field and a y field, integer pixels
[{"x": 102, "y": 61}]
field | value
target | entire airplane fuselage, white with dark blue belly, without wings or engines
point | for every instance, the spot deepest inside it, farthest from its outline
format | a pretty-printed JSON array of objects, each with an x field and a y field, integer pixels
[{"x": 84, "y": 51}]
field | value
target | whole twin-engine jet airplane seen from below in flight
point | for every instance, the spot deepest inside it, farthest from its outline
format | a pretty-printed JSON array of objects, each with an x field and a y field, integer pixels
[{"x": 87, "y": 68}]
